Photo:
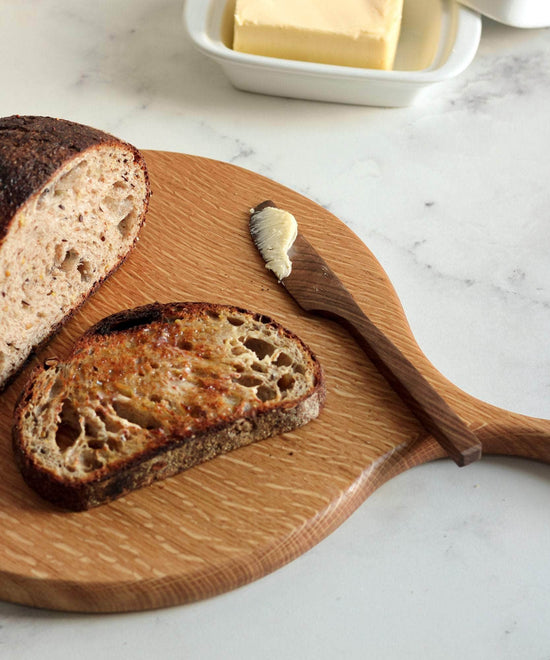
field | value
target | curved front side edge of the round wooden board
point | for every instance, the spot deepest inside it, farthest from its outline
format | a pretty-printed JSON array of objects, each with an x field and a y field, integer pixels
[{"x": 117, "y": 597}]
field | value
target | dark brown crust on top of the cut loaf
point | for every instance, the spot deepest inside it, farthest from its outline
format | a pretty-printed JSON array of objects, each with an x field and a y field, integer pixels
[{"x": 33, "y": 148}]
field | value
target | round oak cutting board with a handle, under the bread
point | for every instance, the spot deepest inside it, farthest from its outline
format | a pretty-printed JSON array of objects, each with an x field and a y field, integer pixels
[{"x": 242, "y": 515}]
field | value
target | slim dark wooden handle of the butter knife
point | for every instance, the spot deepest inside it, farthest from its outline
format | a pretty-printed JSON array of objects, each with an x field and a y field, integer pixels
[{"x": 429, "y": 407}]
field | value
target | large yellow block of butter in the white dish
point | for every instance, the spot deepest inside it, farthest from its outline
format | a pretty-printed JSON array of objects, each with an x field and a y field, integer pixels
[{"x": 358, "y": 33}]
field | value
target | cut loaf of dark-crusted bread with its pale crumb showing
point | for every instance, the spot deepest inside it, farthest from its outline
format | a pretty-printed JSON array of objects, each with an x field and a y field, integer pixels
[{"x": 72, "y": 202}]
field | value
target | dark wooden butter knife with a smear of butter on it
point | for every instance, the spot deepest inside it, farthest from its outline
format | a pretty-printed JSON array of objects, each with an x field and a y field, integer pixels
[{"x": 313, "y": 285}]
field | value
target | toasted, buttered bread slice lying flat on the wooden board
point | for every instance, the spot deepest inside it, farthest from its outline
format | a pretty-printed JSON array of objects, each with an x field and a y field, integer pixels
[{"x": 149, "y": 392}]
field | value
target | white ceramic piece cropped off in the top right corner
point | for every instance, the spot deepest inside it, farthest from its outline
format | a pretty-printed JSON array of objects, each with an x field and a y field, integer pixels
[{"x": 518, "y": 13}]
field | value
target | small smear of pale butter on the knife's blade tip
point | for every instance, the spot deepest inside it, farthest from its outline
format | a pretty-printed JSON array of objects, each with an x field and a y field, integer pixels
[{"x": 273, "y": 232}]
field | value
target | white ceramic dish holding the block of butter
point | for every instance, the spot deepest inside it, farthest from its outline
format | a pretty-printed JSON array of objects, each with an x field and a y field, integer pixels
[{"x": 439, "y": 39}]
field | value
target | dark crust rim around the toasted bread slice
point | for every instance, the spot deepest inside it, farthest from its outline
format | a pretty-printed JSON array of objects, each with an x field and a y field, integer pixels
[{"x": 182, "y": 449}]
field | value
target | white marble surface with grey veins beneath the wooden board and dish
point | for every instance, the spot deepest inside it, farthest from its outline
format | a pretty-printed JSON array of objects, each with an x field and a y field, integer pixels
[{"x": 452, "y": 196}]
